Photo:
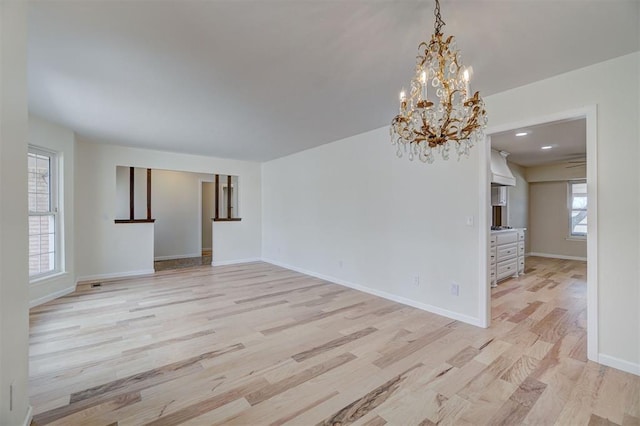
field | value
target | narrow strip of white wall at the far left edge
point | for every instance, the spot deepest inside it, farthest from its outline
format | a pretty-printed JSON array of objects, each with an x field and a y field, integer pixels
[{"x": 14, "y": 287}]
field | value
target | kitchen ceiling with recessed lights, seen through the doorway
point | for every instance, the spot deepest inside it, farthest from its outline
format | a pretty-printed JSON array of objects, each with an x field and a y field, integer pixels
[{"x": 567, "y": 139}]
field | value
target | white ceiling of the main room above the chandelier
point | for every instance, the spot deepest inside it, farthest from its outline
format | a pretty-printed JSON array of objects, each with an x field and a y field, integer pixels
[{"x": 261, "y": 79}]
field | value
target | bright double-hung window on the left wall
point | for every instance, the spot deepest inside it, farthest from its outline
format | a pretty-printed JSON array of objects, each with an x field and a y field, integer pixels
[{"x": 43, "y": 213}]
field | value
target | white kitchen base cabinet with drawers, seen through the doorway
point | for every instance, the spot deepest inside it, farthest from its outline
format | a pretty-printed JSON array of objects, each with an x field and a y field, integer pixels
[{"x": 506, "y": 254}]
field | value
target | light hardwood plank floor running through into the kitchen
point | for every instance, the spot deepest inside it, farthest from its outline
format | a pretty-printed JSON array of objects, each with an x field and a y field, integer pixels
[{"x": 256, "y": 344}]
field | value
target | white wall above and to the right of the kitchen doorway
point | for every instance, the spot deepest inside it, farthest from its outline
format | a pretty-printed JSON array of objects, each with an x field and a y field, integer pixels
[{"x": 613, "y": 86}]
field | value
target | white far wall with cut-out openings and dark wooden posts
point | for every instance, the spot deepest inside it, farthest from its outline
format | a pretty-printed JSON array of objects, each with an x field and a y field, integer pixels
[{"x": 106, "y": 249}]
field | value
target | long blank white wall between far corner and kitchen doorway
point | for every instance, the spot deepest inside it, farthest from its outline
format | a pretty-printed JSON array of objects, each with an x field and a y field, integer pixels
[{"x": 353, "y": 212}]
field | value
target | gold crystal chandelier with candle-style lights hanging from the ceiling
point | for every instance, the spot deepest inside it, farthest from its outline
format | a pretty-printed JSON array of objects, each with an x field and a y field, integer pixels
[{"x": 424, "y": 127}]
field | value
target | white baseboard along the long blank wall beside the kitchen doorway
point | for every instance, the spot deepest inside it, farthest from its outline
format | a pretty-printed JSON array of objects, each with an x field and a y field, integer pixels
[{"x": 395, "y": 298}]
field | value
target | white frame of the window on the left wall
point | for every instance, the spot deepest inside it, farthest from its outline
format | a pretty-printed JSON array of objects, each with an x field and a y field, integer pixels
[{"x": 54, "y": 210}]
